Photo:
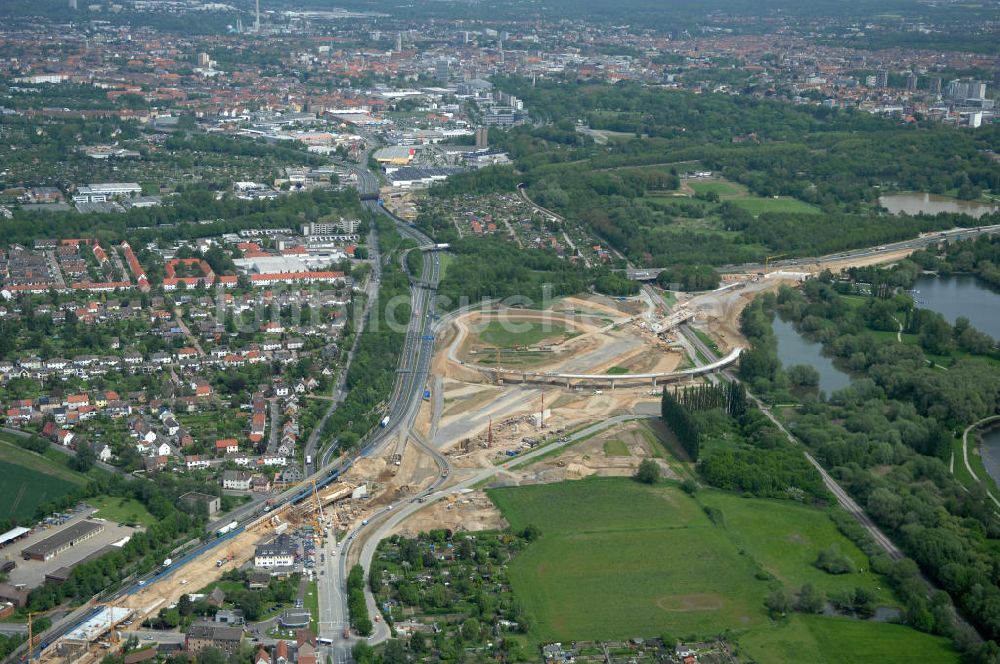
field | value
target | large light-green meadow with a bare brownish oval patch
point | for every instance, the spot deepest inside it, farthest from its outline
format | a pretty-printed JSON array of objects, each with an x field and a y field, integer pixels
[{"x": 618, "y": 559}]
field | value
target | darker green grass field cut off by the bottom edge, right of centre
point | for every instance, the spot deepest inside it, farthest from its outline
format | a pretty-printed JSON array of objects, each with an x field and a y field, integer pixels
[{"x": 833, "y": 640}]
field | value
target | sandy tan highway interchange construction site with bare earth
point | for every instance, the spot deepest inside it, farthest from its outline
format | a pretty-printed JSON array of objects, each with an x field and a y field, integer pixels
[{"x": 478, "y": 418}]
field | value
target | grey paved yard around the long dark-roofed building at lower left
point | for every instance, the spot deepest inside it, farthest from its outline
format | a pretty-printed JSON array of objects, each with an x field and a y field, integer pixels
[{"x": 31, "y": 573}]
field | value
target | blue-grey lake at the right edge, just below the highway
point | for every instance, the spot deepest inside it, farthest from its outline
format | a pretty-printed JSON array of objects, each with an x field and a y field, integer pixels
[{"x": 961, "y": 295}]
